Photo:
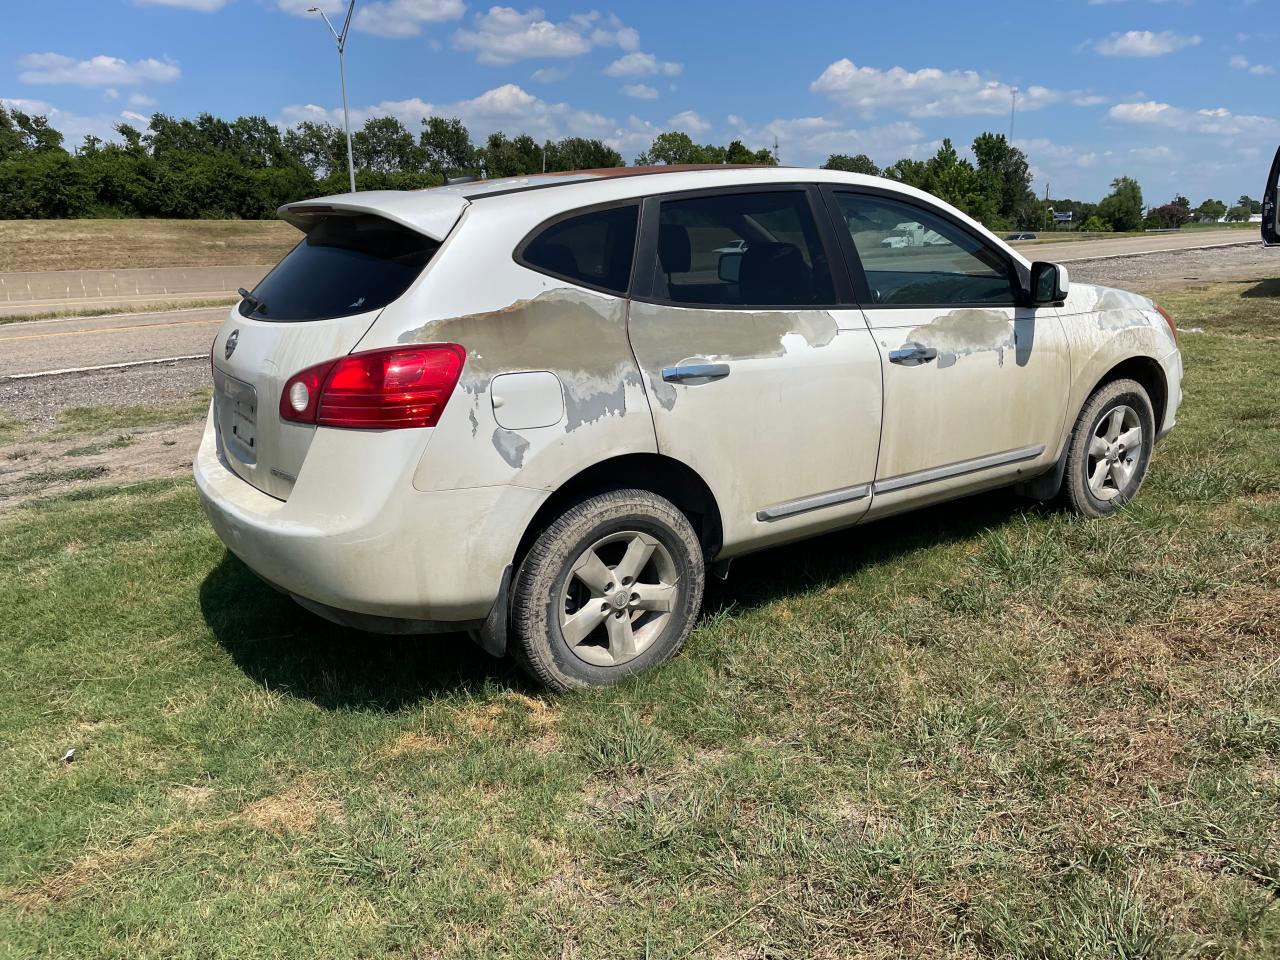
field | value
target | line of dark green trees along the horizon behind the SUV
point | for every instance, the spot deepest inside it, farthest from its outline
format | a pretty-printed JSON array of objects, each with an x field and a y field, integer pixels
[{"x": 246, "y": 168}]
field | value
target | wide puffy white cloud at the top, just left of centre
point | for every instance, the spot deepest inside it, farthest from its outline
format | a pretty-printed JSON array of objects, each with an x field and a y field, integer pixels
[{"x": 502, "y": 35}]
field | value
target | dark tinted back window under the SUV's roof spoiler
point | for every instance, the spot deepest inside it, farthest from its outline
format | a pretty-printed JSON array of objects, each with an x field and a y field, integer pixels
[{"x": 345, "y": 266}]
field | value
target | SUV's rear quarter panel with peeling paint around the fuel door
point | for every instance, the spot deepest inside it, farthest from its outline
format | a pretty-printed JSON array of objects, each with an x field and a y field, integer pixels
[{"x": 511, "y": 319}]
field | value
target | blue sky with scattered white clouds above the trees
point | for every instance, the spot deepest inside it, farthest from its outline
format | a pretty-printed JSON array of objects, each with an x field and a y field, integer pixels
[{"x": 1182, "y": 94}]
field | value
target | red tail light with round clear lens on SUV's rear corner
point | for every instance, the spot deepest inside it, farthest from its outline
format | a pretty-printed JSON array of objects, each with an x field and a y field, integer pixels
[{"x": 378, "y": 390}]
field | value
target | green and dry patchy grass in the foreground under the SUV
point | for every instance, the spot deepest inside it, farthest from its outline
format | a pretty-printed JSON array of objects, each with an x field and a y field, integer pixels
[{"x": 986, "y": 730}]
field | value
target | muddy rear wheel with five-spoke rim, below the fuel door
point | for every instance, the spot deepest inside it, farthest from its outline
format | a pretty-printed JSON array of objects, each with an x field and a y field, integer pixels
[{"x": 610, "y": 589}]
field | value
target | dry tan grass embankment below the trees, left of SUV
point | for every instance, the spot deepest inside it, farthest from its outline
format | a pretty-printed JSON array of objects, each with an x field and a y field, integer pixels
[{"x": 103, "y": 245}]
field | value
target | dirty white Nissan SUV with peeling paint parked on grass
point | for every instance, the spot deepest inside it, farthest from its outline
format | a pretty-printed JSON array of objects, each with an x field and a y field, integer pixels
[{"x": 538, "y": 410}]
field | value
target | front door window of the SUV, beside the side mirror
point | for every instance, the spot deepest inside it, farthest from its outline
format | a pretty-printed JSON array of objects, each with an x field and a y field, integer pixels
[{"x": 915, "y": 258}]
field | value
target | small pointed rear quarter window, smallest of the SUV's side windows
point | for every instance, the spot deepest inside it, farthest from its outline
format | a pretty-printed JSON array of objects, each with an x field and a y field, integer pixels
[{"x": 592, "y": 249}]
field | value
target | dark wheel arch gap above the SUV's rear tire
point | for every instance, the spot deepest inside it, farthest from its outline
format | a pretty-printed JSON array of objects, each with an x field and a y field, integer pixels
[{"x": 656, "y": 473}]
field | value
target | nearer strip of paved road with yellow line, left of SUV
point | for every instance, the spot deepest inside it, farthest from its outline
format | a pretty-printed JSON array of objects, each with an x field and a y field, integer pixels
[{"x": 40, "y": 346}]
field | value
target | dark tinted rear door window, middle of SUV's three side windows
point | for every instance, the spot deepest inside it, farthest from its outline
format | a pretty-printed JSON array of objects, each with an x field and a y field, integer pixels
[{"x": 735, "y": 250}]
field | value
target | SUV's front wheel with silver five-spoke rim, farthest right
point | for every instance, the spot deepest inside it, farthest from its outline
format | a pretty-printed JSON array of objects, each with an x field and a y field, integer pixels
[{"x": 1110, "y": 450}]
